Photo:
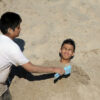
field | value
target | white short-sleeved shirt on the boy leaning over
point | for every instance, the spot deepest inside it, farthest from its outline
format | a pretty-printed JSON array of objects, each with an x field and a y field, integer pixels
[{"x": 10, "y": 53}]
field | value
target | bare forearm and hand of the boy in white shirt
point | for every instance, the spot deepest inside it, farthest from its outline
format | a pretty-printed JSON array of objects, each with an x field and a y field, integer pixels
[{"x": 41, "y": 69}]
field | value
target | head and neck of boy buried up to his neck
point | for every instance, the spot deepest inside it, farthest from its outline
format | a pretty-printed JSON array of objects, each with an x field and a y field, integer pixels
[{"x": 67, "y": 51}]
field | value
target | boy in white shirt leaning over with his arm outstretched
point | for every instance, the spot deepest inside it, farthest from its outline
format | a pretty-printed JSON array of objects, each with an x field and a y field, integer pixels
[{"x": 10, "y": 52}]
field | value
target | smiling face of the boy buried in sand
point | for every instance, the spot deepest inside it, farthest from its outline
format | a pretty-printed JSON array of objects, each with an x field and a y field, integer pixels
[{"x": 67, "y": 51}]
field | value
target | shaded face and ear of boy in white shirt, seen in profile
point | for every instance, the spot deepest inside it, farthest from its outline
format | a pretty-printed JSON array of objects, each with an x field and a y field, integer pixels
[{"x": 14, "y": 33}]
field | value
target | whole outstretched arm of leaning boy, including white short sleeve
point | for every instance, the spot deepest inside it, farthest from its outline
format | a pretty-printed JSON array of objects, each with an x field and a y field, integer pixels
[{"x": 17, "y": 58}]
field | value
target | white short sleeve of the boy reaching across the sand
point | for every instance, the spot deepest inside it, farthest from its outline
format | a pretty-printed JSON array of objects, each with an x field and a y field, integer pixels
[{"x": 16, "y": 56}]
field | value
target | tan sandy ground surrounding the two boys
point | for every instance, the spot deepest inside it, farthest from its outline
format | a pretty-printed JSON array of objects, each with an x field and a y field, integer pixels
[{"x": 46, "y": 23}]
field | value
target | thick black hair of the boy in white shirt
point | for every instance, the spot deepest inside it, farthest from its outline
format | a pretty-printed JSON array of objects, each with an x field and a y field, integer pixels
[{"x": 9, "y": 20}]
